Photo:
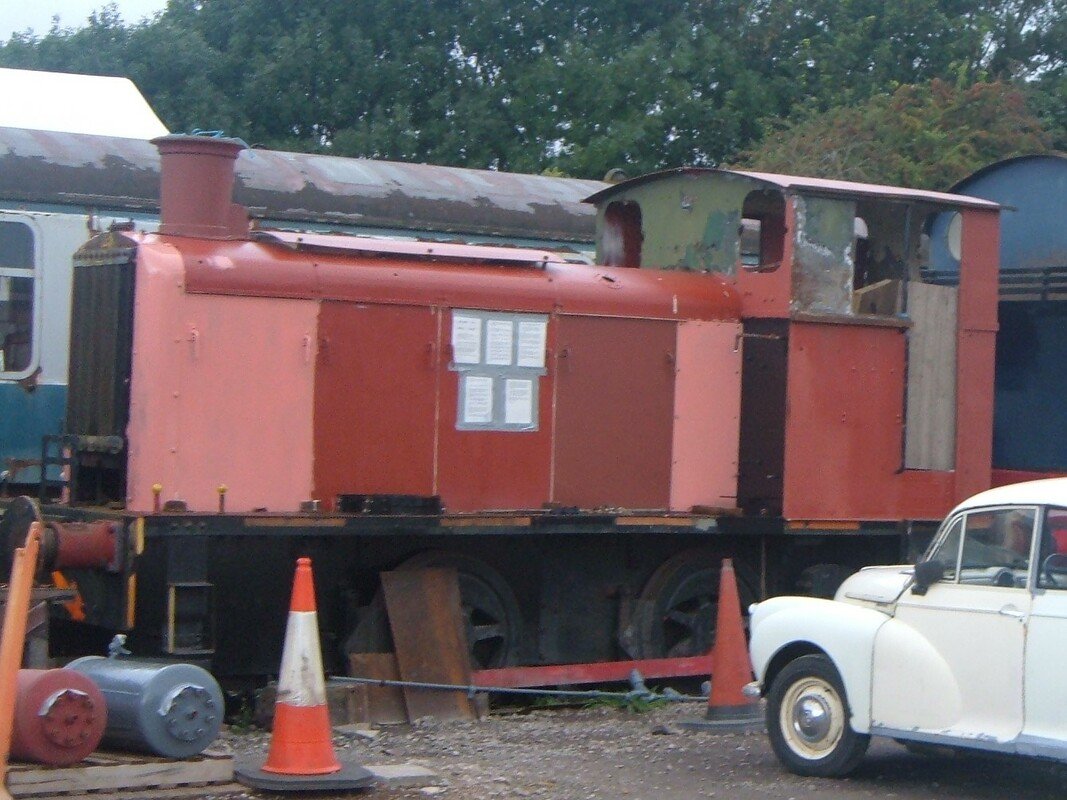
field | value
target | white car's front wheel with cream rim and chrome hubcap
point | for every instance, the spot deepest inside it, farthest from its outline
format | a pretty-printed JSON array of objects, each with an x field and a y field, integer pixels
[{"x": 808, "y": 721}]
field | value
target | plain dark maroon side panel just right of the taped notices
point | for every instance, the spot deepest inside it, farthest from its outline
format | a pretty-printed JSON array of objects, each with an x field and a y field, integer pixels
[{"x": 614, "y": 413}]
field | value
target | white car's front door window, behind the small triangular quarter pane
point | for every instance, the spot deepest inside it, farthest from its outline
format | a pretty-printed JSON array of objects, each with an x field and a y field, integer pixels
[{"x": 997, "y": 547}]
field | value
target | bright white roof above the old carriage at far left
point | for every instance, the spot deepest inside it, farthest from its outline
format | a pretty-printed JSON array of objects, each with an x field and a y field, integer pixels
[{"x": 76, "y": 104}]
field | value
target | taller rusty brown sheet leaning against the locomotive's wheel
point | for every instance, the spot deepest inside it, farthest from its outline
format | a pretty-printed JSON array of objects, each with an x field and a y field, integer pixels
[{"x": 431, "y": 641}]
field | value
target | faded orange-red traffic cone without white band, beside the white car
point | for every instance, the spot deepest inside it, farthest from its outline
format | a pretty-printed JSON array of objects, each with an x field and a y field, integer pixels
[{"x": 728, "y": 708}]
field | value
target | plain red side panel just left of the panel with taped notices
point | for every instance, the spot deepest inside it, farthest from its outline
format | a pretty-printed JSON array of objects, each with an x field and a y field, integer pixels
[{"x": 375, "y": 401}]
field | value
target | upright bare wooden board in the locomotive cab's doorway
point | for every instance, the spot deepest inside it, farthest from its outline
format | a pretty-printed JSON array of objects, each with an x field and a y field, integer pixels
[{"x": 930, "y": 439}]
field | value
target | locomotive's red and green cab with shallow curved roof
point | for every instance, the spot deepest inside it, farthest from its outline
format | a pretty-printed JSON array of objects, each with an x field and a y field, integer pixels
[{"x": 857, "y": 366}]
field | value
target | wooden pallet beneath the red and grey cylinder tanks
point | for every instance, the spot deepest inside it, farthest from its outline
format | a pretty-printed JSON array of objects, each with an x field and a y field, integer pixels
[{"x": 113, "y": 773}]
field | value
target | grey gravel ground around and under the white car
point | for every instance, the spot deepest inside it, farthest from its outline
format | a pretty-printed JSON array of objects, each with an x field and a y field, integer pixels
[{"x": 604, "y": 753}]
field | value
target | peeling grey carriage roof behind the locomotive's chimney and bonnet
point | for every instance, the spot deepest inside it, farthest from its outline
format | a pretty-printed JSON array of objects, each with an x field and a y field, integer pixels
[{"x": 71, "y": 169}]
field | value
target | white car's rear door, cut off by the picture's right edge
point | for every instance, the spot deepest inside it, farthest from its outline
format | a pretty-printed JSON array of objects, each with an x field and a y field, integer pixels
[{"x": 1045, "y": 726}]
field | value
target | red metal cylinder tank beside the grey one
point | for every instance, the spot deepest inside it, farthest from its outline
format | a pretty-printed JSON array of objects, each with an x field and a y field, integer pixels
[{"x": 60, "y": 717}]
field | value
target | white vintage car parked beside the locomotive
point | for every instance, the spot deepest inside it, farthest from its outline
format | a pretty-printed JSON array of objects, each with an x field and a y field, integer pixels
[{"x": 966, "y": 649}]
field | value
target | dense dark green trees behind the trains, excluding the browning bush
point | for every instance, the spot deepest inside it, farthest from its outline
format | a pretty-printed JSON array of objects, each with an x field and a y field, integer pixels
[{"x": 552, "y": 85}]
